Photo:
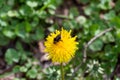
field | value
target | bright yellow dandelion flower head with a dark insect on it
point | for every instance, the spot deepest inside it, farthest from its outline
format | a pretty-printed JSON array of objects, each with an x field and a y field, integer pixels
[{"x": 61, "y": 46}]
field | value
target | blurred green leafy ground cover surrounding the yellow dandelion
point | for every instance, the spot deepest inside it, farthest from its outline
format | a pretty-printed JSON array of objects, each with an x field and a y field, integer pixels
[{"x": 24, "y": 25}]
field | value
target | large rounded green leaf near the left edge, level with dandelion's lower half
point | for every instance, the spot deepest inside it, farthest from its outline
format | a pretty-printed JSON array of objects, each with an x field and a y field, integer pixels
[{"x": 11, "y": 56}]
